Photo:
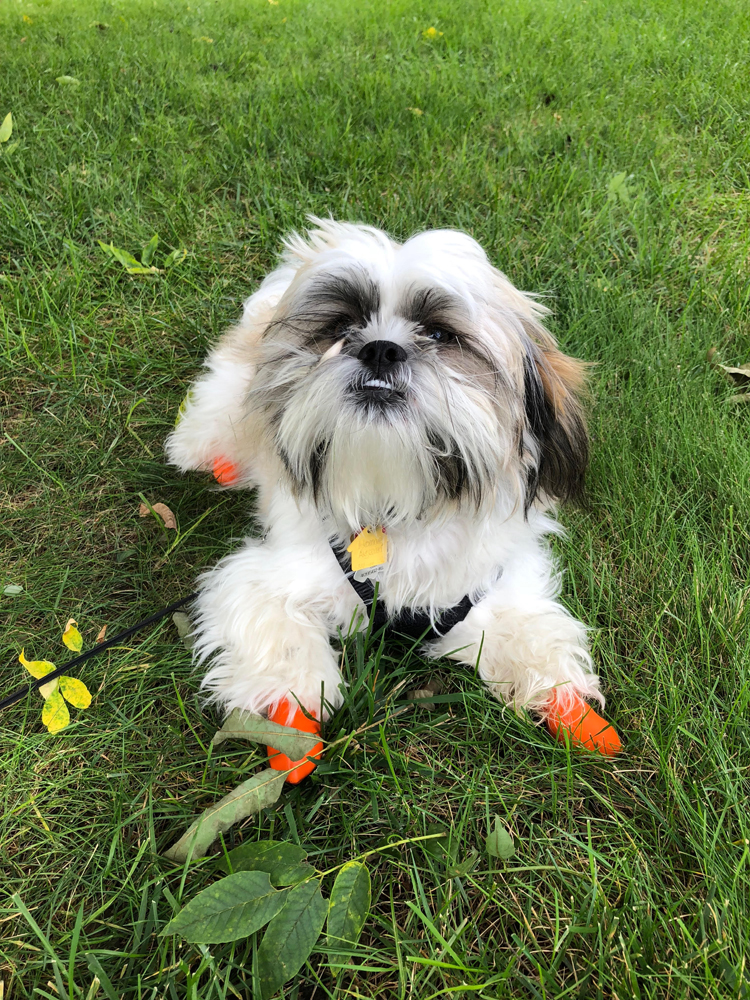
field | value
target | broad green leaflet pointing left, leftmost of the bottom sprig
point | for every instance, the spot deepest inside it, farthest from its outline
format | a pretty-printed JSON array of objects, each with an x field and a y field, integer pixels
[{"x": 233, "y": 908}]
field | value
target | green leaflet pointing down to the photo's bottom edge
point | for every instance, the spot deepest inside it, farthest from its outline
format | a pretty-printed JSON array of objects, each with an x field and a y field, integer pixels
[{"x": 291, "y": 937}]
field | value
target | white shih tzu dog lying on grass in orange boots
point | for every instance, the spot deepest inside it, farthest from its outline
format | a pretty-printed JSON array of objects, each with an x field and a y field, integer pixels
[{"x": 409, "y": 425}]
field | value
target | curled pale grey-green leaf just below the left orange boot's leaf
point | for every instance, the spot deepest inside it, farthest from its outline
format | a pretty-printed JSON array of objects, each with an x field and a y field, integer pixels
[{"x": 258, "y": 792}]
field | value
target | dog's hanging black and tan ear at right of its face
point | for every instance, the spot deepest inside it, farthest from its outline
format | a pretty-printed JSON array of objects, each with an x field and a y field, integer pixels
[{"x": 554, "y": 385}]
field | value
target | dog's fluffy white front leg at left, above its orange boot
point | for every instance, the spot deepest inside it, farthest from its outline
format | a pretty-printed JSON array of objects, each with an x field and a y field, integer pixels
[{"x": 266, "y": 614}]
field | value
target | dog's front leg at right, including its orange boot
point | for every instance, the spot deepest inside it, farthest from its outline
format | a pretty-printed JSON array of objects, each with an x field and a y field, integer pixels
[{"x": 532, "y": 653}]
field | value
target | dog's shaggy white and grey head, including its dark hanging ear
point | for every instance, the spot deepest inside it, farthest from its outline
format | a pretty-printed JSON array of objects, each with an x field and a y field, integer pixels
[{"x": 403, "y": 381}]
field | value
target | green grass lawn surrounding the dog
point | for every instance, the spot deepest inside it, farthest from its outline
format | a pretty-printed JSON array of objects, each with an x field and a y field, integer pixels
[{"x": 598, "y": 149}]
